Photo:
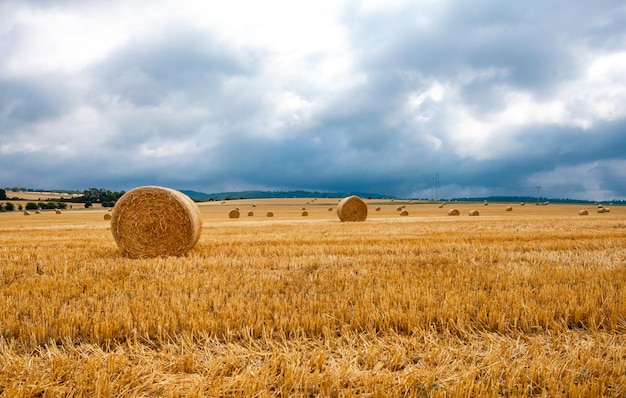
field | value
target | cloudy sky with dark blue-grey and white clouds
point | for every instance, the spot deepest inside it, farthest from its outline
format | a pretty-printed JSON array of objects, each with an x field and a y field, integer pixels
[{"x": 496, "y": 97}]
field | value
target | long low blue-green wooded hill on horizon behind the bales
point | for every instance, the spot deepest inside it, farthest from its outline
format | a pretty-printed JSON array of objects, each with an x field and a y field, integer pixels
[{"x": 203, "y": 197}]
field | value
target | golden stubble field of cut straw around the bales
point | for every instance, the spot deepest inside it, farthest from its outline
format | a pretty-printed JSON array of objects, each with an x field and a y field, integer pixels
[{"x": 523, "y": 303}]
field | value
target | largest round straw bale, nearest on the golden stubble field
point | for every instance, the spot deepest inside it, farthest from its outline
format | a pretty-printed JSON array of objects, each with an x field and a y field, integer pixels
[{"x": 153, "y": 221}]
